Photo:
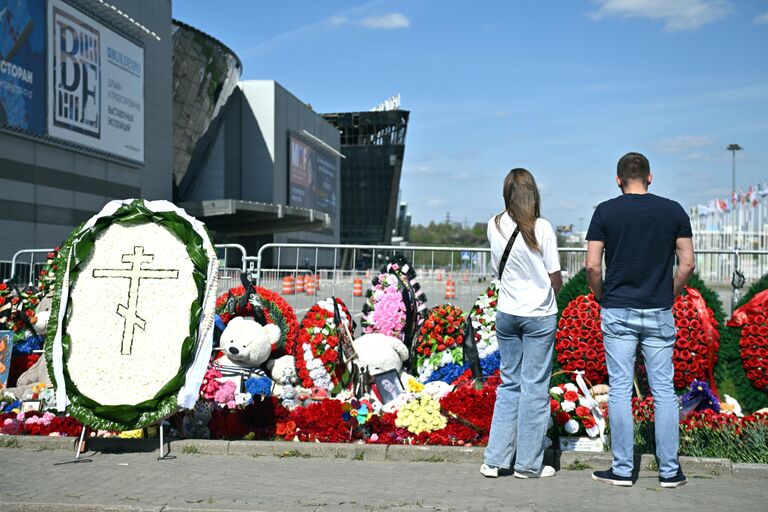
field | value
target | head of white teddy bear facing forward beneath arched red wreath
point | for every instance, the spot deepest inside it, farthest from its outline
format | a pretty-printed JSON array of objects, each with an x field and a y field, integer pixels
[{"x": 246, "y": 343}]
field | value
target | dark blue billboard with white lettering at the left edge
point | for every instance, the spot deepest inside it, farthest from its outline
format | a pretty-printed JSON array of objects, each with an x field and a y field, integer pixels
[{"x": 22, "y": 65}]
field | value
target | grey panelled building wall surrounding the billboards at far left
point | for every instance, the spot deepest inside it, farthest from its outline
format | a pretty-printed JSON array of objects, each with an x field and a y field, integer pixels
[{"x": 47, "y": 189}]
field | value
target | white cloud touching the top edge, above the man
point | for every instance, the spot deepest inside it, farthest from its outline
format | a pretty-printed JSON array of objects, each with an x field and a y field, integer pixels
[{"x": 677, "y": 15}]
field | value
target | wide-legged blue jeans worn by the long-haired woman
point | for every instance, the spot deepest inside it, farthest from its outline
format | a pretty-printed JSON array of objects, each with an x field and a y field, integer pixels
[{"x": 521, "y": 414}]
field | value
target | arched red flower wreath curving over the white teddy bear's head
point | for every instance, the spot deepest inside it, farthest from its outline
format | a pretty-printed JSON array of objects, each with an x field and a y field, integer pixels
[{"x": 276, "y": 310}]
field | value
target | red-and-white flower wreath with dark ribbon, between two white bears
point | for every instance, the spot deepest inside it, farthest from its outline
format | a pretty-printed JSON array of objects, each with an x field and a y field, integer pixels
[{"x": 319, "y": 358}]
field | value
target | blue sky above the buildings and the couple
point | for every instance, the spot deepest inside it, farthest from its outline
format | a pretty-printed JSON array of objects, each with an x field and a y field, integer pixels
[{"x": 562, "y": 87}]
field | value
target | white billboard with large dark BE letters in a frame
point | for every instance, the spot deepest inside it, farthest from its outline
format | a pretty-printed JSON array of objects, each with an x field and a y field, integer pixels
[{"x": 95, "y": 84}]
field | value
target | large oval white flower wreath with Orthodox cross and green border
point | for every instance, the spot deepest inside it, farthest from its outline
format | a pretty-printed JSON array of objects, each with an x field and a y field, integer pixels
[{"x": 190, "y": 360}]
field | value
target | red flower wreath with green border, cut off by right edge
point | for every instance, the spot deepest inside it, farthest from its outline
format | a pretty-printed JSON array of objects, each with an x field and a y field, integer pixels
[{"x": 745, "y": 347}]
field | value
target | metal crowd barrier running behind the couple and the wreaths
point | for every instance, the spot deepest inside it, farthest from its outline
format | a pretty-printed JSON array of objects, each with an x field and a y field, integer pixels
[{"x": 469, "y": 269}]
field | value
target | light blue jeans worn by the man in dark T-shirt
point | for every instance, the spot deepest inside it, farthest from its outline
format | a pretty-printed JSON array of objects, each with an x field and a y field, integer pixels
[{"x": 654, "y": 329}]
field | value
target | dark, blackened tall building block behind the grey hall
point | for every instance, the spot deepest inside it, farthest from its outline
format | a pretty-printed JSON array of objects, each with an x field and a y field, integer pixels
[{"x": 373, "y": 144}]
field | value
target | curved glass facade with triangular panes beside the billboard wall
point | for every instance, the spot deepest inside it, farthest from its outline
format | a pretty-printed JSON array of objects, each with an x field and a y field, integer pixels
[{"x": 205, "y": 73}]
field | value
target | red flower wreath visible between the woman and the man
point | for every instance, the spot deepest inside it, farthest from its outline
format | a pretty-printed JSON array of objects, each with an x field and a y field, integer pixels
[{"x": 579, "y": 339}]
